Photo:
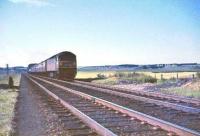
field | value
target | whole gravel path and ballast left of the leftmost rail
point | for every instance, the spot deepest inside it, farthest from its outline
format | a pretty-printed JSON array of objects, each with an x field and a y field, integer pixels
[{"x": 38, "y": 115}]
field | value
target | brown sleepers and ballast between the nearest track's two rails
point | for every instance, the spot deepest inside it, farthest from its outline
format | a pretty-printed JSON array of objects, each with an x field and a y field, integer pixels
[{"x": 114, "y": 121}]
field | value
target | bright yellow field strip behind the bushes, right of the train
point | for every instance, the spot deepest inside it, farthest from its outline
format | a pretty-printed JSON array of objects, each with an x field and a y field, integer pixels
[{"x": 93, "y": 74}]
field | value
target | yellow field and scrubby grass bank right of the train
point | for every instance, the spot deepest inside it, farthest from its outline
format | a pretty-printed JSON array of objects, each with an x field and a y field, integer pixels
[{"x": 184, "y": 86}]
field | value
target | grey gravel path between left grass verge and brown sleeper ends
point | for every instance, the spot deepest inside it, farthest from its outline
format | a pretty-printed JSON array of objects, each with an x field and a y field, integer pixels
[{"x": 32, "y": 117}]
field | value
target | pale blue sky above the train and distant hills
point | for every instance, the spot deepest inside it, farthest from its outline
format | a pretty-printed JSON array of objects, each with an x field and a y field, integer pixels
[{"x": 100, "y": 32}]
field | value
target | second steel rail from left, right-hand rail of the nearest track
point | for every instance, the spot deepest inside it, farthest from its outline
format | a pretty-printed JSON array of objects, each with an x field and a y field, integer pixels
[{"x": 182, "y": 131}]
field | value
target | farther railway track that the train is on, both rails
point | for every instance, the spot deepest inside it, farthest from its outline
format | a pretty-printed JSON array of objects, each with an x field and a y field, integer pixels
[{"x": 178, "y": 103}]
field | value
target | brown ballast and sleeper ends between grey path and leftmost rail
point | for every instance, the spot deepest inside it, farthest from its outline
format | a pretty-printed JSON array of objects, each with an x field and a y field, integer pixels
[{"x": 70, "y": 124}]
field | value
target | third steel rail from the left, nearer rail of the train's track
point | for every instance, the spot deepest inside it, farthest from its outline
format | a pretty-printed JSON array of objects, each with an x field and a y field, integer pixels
[{"x": 139, "y": 98}]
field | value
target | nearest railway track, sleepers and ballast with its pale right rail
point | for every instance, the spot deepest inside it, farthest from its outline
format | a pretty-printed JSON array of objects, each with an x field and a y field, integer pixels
[{"x": 117, "y": 119}]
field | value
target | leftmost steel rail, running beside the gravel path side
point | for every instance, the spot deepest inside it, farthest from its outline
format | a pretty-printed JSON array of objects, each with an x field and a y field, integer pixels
[{"x": 86, "y": 119}]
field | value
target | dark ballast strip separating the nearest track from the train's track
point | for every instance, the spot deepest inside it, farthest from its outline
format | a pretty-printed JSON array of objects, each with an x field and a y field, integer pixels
[{"x": 188, "y": 120}]
